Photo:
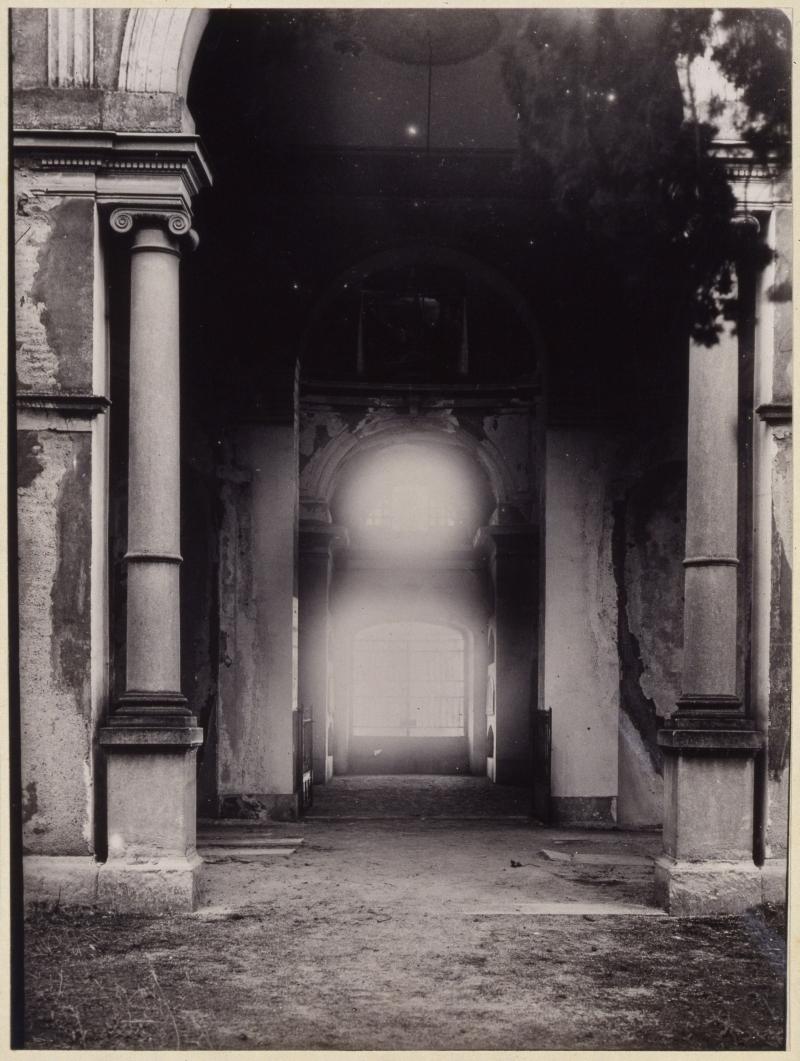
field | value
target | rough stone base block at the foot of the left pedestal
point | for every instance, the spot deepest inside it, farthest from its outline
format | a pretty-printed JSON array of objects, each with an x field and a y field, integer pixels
[{"x": 161, "y": 886}]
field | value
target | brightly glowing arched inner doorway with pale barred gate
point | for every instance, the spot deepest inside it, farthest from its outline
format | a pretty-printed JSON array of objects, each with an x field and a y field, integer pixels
[{"x": 411, "y": 600}]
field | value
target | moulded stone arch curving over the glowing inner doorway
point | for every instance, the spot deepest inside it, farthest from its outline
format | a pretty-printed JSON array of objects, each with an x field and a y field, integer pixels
[{"x": 322, "y": 475}]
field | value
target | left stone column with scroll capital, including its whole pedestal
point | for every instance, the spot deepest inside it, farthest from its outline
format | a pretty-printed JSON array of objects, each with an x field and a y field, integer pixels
[{"x": 152, "y": 738}]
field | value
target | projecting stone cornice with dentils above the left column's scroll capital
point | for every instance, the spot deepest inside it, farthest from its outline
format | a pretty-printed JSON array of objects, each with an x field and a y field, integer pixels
[{"x": 134, "y": 154}]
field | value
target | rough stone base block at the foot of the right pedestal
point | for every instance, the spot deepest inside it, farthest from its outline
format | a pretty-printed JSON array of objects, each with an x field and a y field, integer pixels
[{"x": 707, "y": 889}]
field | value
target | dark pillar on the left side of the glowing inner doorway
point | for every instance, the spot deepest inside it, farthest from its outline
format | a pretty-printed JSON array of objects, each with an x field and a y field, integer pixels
[{"x": 318, "y": 545}]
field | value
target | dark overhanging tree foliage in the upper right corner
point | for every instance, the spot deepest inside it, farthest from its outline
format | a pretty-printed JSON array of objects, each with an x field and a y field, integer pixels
[{"x": 625, "y": 154}]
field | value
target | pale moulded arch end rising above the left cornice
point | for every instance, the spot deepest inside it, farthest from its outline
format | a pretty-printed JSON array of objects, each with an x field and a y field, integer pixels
[{"x": 160, "y": 47}]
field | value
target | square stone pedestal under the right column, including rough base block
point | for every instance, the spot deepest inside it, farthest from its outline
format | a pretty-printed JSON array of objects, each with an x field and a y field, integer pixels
[{"x": 708, "y": 867}]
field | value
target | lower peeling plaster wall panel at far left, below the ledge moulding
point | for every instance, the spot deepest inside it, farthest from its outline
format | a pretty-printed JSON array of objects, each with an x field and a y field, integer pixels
[{"x": 56, "y": 535}]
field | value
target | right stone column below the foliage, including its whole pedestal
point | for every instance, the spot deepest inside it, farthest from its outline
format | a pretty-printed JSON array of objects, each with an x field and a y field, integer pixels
[{"x": 709, "y": 744}]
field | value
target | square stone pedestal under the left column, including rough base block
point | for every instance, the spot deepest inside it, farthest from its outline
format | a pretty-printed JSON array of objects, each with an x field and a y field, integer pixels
[{"x": 153, "y": 864}]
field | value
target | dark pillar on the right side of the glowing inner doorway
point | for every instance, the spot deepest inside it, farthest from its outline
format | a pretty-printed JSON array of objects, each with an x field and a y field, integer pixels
[{"x": 512, "y": 551}]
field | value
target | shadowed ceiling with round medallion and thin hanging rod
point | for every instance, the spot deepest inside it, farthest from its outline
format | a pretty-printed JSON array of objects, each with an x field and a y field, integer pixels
[{"x": 377, "y": 79}]
